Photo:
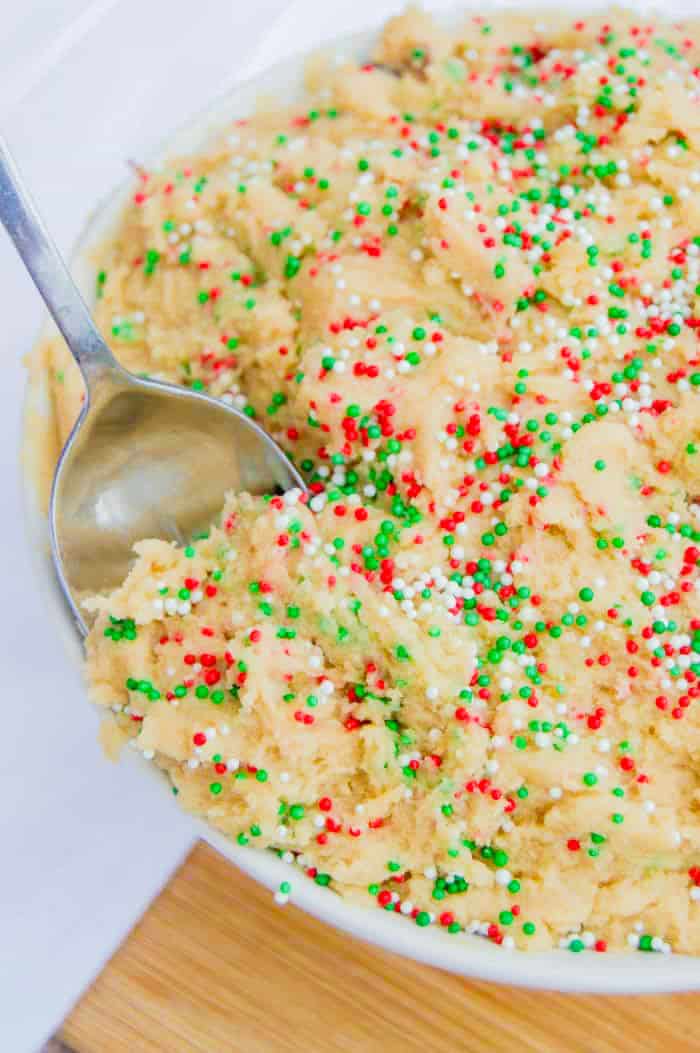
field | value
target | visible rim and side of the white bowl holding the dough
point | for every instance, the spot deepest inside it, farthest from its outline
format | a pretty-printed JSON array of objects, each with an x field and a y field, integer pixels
[{"x": 467, "y": 956}]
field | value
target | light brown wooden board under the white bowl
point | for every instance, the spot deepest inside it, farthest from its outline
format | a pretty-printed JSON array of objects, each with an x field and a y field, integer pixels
[{"x": 216, "y": 967}]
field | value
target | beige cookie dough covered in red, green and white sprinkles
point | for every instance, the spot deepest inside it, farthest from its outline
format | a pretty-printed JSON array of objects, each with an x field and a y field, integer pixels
[{"x": 461, "y": 285}]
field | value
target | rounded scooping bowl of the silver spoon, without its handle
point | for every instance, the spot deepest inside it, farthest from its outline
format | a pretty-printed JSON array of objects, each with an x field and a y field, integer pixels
[{"x": 149, "y": 460}]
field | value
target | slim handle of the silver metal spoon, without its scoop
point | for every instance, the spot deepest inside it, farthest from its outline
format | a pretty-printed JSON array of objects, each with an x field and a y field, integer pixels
[{"x": 50, "y": 273}]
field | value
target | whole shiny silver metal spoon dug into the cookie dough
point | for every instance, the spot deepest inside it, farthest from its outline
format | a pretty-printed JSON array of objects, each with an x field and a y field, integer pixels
[{"x": 145, "y": 459}]
